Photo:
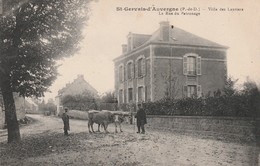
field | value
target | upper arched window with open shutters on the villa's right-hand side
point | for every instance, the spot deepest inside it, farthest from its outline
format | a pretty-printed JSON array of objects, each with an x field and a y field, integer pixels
[{"x": 191, "y": 64}]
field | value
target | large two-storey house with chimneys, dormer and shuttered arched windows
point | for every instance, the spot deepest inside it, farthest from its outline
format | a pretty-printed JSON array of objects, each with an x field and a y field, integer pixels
[{"x": 168, "y": 63}]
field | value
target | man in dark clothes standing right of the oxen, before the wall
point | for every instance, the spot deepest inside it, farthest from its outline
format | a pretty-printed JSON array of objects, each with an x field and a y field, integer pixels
[{"x": 141, "y": 119}]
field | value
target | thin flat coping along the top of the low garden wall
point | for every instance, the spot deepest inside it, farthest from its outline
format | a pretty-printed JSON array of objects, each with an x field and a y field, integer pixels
[{"x": 204, "y": 117}]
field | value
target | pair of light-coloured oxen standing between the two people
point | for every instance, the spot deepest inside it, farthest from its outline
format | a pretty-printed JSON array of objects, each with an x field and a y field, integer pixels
[{"x": 104, "y": 118}]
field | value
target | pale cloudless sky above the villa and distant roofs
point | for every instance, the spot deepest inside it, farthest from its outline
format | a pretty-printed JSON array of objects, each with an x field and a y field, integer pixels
[{"x": 107, "y": 28}]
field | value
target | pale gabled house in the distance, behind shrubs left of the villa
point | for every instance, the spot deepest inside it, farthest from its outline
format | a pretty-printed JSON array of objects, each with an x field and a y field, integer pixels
[{"x": 79, "y": 86}]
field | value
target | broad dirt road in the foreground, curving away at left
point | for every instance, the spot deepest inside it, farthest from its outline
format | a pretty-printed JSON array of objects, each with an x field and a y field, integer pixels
[{"x": 43, "y": 143}]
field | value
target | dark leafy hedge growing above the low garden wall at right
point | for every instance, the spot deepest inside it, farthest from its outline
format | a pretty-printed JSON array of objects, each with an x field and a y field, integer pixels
[{"x": 237, "y": 104}]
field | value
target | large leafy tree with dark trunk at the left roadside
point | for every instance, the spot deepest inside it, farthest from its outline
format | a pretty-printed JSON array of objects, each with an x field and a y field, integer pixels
[{"x": 34, "y": 35}]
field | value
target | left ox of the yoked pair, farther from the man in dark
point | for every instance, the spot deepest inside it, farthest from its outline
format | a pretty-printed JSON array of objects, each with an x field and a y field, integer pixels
[{"x": 99, "y": 117}]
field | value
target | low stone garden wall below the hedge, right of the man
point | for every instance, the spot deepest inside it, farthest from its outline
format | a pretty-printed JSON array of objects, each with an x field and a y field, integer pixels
[{"x": 245, "y": 128}]
